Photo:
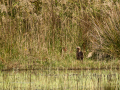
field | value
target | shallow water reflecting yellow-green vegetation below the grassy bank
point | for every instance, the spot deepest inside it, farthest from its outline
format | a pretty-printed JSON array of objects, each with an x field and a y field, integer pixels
[{"x": 60, "y": 80}]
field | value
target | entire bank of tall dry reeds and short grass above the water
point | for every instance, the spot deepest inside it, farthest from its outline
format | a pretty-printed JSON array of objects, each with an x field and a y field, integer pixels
[{"x": 37, "y": 33}]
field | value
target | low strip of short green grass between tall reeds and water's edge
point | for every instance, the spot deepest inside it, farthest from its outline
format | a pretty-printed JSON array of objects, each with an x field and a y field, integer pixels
[{"x": 63, "y": 64}]
